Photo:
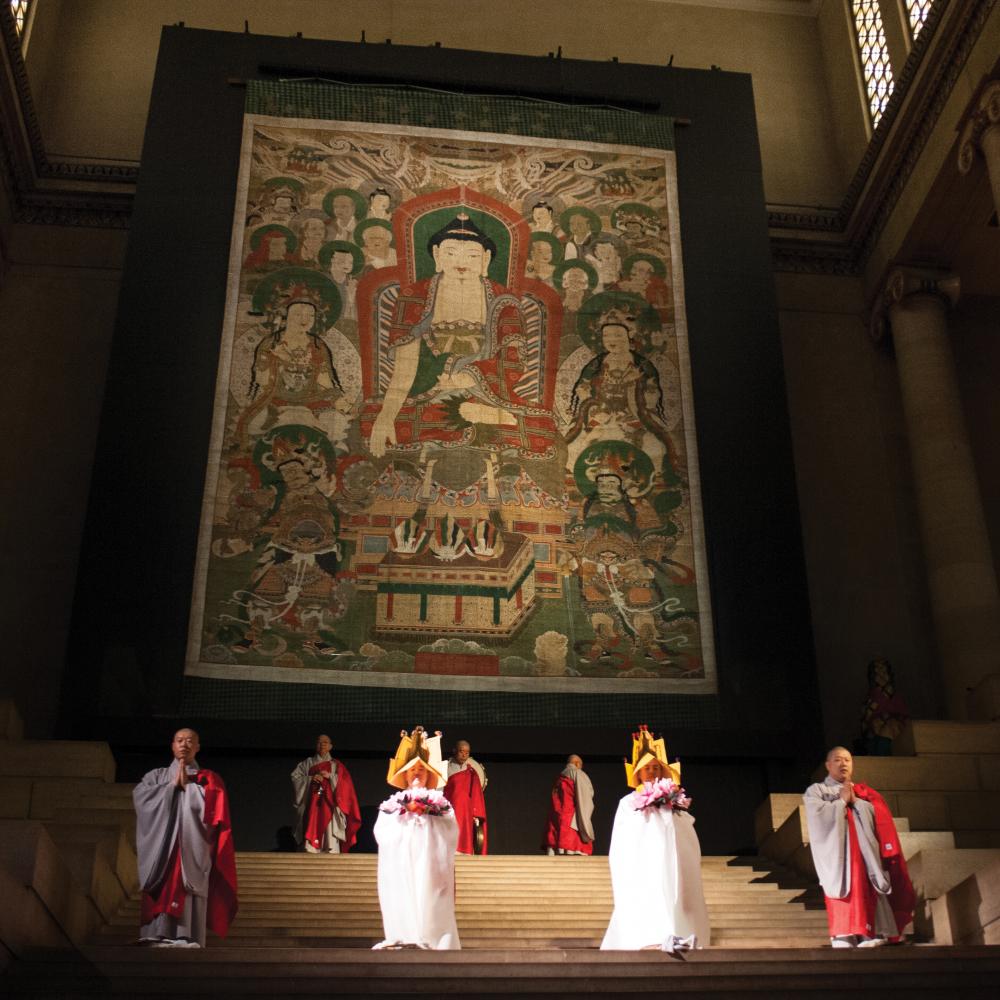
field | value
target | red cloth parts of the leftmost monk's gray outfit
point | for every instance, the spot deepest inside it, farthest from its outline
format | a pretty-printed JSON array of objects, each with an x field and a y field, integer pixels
[{"x": 171, "y": 896}]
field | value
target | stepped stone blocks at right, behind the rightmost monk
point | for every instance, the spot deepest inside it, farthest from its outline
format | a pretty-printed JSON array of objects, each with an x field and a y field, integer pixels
[{"x": 943, "y": 787}]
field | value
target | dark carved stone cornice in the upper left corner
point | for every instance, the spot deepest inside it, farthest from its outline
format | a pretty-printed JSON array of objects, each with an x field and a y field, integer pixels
[{"x": 67, "y": 193}]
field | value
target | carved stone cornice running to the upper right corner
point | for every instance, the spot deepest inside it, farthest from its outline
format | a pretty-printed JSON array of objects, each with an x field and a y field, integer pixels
[{"x": 922, "y": 89}]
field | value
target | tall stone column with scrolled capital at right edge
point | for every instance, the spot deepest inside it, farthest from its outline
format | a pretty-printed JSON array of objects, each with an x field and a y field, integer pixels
[{"x": 962, "y": 579}]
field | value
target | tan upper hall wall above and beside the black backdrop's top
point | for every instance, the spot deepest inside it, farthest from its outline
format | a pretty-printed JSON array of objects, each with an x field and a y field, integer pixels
[{"x": 91, "y": 61}]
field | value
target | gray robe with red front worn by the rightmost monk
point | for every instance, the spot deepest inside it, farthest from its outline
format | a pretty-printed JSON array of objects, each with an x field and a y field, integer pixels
[{"x": 852, "y": 908}]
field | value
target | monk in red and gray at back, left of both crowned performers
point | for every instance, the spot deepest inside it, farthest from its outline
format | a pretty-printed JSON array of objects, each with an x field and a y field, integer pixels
[{"x": 329, "y": 816}]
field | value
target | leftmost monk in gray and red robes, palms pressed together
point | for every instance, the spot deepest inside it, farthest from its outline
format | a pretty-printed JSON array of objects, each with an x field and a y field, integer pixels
[{"x": 184, "y": 842}]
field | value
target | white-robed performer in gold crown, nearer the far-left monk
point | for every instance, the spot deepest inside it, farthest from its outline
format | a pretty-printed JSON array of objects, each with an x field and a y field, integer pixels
[{"x": 417, "y": 835}]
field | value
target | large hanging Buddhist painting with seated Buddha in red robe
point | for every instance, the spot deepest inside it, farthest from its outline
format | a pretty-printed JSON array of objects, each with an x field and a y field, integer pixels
[{"x": 453, "y": 441}]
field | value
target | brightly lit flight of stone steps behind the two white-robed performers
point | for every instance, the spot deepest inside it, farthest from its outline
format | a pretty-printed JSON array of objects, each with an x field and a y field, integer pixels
[{"x": 523, "y": 902}]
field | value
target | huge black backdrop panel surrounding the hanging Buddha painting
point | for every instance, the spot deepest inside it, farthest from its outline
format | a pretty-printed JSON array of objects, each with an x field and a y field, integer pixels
[{"x": 125, "y": 661}]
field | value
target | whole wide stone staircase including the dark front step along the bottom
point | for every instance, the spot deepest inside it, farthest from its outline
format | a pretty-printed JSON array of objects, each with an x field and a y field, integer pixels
[{"x": 530, "y": 927}]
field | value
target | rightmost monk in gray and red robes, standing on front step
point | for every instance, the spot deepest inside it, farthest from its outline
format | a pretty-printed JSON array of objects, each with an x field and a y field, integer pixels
[{"x": 858, "y": 858}]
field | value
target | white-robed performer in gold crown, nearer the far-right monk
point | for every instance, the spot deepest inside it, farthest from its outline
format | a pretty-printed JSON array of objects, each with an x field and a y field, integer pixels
[{"x": 655, "y": 859}]
